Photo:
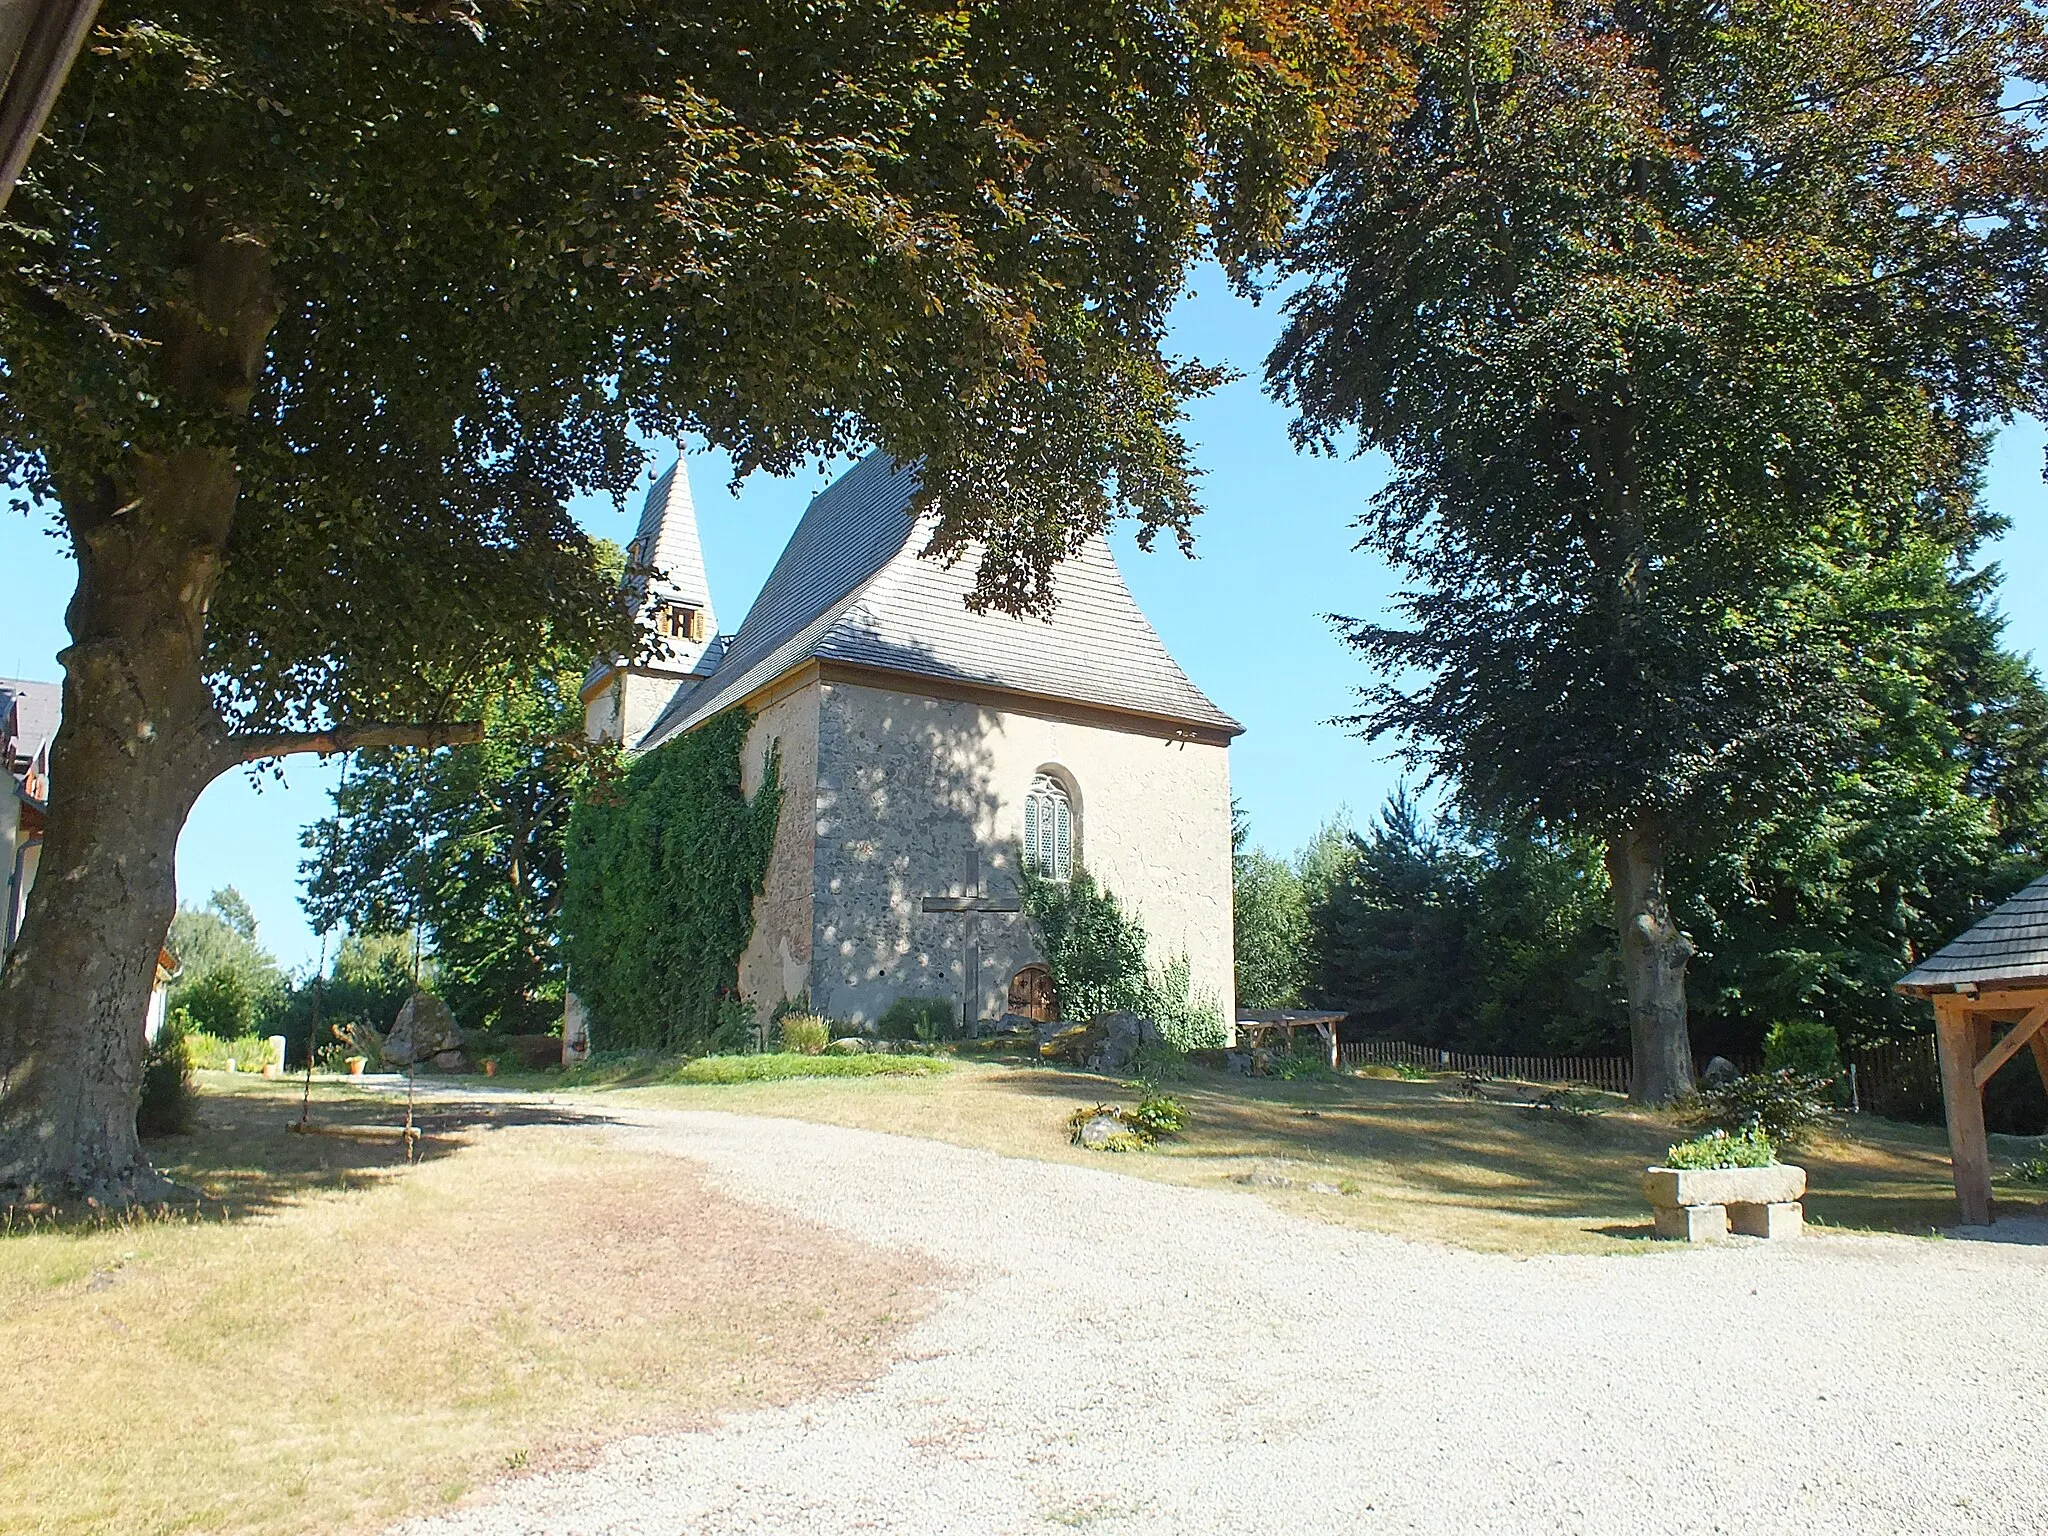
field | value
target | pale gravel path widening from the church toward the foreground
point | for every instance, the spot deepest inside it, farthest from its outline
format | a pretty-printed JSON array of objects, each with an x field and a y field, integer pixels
[{"x": 1132, "y": 1357}]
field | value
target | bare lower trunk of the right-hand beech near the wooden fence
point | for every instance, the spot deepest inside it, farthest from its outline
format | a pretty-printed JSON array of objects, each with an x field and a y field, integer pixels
[{"x": 1654, "y": 964}]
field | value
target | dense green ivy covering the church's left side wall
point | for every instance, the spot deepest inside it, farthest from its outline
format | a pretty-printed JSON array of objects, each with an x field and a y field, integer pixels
[{"x": 658, "y": 906}]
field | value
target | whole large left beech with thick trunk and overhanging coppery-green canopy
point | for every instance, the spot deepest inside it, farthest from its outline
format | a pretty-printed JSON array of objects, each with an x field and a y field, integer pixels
[{"x": 314, "y": 314}]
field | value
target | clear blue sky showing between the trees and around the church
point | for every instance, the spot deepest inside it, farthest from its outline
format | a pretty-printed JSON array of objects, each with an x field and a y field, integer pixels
[{"x": 1244, "y": 617}]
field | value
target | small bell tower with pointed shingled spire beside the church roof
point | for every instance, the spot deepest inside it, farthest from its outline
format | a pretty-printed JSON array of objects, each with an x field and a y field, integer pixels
[{"x": 671, "y": 599}]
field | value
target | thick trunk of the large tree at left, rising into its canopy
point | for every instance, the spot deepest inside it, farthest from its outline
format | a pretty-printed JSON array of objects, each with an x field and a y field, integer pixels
[{"x": 140, "y": 734}]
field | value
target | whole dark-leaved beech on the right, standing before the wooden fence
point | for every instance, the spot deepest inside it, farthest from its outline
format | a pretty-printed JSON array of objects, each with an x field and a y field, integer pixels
[{"x": 1680, "y": 323}]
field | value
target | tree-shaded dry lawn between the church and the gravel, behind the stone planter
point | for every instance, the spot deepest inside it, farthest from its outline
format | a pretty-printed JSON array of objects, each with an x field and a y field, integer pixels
[{"x": 1408, "y": 1158}]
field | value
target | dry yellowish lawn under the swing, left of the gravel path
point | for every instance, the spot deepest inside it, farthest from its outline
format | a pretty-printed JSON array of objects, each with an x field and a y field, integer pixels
[{"x": 343, "y": 1338}]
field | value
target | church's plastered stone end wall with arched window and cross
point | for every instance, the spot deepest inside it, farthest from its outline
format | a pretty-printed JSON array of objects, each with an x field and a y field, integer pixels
[{"x": 908, "y": 787}]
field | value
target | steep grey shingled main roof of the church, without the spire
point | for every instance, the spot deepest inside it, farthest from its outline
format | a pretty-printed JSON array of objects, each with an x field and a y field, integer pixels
[{"x": 853, "y": 589}]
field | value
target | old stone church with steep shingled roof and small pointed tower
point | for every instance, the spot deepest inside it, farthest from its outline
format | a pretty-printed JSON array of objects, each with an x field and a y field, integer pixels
[{"x": 927, "y": 751}]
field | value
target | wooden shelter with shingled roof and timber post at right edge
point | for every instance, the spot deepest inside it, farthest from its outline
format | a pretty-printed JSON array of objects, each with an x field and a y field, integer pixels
[{"x": 1994, "y": 976}]
